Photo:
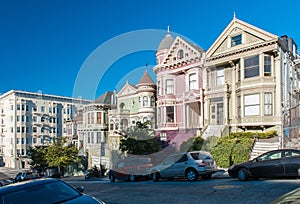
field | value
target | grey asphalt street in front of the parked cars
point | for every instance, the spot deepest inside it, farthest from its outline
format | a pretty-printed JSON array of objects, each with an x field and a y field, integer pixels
[{"x": 219, "y": 190}]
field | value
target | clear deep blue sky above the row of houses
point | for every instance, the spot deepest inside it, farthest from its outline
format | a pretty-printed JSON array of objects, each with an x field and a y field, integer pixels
[{"x": 45, "y": 43}]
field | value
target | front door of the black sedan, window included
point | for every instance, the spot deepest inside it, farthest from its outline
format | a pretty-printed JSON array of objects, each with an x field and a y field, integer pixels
[{"x": 268, "y": 165}]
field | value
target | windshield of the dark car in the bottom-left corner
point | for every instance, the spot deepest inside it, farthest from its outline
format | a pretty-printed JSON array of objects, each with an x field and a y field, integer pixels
[{"x": 55, "y": 192}]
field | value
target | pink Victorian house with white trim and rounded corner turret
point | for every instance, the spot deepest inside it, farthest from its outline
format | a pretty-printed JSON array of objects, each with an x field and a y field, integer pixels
[{"x": 179, "y": 75}]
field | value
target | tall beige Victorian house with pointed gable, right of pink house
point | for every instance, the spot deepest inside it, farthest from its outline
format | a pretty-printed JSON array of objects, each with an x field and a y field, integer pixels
[{"x": 252, "y": 83}]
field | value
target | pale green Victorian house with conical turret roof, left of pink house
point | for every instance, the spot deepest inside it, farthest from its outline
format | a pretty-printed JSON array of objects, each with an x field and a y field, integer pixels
[{"x": 134, "y": 103}]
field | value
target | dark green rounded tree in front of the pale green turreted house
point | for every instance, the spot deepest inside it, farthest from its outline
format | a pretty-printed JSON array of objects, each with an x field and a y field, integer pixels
[{"x": 140, "y": 140}]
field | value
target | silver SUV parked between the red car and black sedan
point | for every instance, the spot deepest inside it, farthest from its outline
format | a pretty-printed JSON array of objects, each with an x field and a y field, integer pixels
[{"x": 190, "y": 165}]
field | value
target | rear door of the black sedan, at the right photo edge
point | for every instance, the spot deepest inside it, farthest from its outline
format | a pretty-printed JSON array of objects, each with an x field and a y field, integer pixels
[{"x": 291, "y": 161}]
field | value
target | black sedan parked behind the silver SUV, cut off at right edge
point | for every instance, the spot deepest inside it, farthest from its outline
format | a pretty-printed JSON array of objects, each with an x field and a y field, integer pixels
[{"x": 272, "y": 164}]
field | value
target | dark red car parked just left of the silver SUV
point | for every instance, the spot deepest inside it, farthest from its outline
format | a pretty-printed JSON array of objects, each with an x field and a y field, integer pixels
[{"x": 130, "y": 168}]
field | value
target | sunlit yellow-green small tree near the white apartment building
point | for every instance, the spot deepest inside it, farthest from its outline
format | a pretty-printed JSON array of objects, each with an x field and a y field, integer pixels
[{"x": 59, "y": 155}]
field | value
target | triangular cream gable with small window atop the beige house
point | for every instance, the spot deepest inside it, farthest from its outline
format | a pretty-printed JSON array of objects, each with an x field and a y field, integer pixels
[{"x": 238, "y": 26}]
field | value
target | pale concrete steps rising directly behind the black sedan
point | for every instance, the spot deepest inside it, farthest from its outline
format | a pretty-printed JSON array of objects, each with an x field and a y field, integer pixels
[{"x": 261, "y": 147}]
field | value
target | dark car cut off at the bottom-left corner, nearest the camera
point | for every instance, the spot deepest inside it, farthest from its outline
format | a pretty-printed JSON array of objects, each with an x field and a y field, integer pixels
[{"x": 44, "y": 191}]
